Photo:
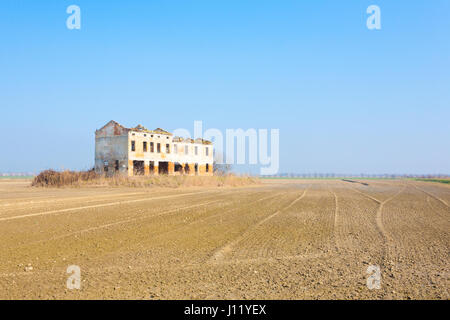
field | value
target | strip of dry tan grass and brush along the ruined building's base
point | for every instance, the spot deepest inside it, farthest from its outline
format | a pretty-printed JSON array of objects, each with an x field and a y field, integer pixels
[{"x": 51, "y": 178}]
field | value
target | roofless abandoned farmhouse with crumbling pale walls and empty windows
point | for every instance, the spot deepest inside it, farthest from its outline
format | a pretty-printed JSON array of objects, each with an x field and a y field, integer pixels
[{"x": 139, "y": 151}]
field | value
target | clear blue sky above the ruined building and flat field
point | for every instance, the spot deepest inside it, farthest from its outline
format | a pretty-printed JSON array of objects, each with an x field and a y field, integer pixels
[{"x": 345, "y": 98}]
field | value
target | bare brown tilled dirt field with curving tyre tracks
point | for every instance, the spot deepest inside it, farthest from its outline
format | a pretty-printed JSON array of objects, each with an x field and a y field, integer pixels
[{"x": 293, "y": 239}]
